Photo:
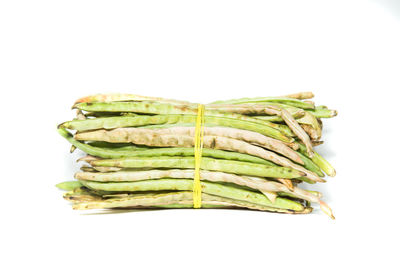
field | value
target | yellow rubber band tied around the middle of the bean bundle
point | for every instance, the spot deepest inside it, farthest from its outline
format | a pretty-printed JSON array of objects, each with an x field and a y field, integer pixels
[{"x": 198, "y": 149}]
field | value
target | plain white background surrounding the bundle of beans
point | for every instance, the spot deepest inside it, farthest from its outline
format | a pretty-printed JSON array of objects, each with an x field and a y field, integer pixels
[{"x": 346, "y": 52}]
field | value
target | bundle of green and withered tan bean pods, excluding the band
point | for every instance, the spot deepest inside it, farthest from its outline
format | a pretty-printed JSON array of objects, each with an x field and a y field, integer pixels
[{"x": 256, "y": 153}]
